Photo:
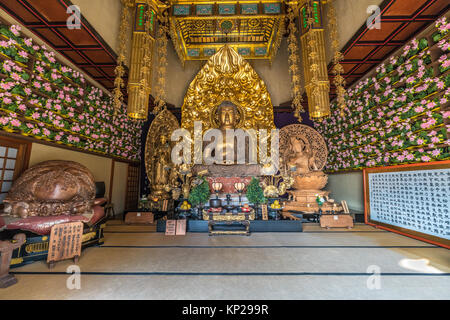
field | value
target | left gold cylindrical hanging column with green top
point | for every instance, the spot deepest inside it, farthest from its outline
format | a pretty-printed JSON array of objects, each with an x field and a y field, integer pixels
[{"x": 140, "y": 78}]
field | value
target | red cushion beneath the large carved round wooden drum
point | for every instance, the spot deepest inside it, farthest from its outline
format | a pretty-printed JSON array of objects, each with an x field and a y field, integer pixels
[{"x": 43, "y": 225}]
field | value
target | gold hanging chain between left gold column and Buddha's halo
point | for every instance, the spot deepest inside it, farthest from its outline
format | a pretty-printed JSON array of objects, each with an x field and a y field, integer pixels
[{"x": 161, "y": 41}]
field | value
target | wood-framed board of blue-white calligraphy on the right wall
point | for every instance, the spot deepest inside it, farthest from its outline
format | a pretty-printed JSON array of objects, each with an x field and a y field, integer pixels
[{"x": 413, "y": 200}]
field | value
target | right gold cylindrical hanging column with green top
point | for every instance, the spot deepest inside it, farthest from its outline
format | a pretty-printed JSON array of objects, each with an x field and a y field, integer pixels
[{"x": 313, "y": 52}]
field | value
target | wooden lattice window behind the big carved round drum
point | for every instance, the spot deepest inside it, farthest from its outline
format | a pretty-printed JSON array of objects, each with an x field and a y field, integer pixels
[{"x": 14, "y": 157}]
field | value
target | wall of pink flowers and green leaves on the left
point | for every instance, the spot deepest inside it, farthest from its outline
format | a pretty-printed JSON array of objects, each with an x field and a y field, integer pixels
[{"x": 41, "y": 98}]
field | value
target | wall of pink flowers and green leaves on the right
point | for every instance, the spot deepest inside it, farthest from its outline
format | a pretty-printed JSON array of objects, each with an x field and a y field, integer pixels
[{"x": 398, "y": 116}]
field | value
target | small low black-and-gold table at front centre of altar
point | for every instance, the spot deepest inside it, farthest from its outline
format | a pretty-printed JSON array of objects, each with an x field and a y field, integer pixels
[{"x": 229, "y": 221}]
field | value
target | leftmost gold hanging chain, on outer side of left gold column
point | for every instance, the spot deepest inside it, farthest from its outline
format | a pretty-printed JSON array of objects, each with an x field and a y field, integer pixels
[{"x": 120, "y": 68}]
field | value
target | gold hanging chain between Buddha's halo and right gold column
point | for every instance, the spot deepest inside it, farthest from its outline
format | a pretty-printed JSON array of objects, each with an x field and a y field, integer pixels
[{"x": 294, "y": 60}]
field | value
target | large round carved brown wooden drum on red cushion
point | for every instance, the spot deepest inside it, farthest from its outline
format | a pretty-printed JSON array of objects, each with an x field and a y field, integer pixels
[{"x": 52, "y": 188}]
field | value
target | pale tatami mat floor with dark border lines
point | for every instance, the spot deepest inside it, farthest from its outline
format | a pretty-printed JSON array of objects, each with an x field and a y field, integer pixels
[{"x": 137, "y": 263}]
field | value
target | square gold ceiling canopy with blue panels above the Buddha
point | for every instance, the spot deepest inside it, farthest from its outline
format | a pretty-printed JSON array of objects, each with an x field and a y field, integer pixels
[{"x": 200, "y": 28}]
